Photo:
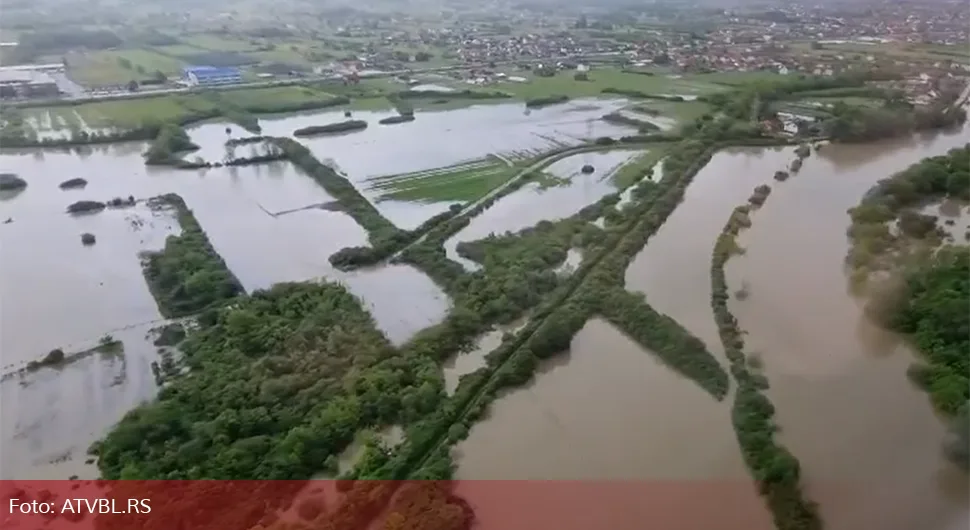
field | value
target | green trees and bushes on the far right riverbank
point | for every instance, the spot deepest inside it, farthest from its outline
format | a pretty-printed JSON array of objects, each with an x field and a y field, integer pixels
[{"x": 927, "y": 293}]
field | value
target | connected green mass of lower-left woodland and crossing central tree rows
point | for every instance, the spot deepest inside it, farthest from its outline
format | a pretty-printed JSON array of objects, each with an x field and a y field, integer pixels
[{"x": 280, "y": 382}]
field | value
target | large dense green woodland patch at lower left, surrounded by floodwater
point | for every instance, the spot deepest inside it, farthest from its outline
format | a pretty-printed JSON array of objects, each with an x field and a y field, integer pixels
[{"x": 279, "y": 384}]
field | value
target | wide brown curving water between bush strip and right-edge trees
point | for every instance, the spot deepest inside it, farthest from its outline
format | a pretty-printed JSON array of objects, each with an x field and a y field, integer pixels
[{"x": 868, "y": 440}]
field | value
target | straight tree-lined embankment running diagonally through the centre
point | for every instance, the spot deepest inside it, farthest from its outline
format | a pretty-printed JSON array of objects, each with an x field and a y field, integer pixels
[{"x": 554, "y": 322}]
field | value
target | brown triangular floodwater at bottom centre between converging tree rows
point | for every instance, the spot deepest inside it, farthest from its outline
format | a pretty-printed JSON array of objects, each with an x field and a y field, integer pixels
[{"x": 609, "y": 410}]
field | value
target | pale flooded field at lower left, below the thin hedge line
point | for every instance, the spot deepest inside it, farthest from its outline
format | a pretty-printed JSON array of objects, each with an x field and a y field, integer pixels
[{"x": 50, "y": 417}]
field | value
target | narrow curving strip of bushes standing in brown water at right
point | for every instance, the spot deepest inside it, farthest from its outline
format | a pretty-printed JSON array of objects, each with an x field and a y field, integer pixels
[{"x": 776, "y": 470}]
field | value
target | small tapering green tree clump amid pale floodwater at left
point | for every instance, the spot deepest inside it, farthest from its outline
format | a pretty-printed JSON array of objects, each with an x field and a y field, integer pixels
[{"x": 187, "y": 276}]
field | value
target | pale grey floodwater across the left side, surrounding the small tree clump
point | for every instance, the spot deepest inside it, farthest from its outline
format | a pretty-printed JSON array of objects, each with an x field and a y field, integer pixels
[{"x": 264, "y": 220}]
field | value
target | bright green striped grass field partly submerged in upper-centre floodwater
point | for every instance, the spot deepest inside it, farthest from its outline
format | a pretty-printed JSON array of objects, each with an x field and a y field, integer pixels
[{"x": 463, "y": 182}]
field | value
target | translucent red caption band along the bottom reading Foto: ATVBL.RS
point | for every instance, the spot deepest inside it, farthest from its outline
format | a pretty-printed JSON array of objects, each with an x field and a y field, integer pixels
[{"x": 381, "y": 505}]
